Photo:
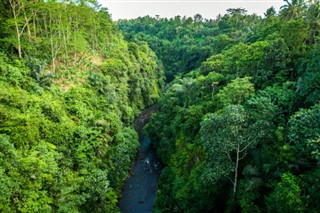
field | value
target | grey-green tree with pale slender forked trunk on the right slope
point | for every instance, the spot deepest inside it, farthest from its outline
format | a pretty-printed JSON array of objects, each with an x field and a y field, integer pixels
[{"x": 227, "y": 137}]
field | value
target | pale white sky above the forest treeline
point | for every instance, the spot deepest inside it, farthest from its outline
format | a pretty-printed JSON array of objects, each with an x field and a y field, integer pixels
[{"x": 209, "y": 9}]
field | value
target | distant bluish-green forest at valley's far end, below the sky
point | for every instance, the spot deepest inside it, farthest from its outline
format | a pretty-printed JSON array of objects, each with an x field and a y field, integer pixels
[{"x": 183, "y": 43}]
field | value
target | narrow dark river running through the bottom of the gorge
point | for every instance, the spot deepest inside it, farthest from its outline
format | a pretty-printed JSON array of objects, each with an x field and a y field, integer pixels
[{"x": 140, "y": 191}]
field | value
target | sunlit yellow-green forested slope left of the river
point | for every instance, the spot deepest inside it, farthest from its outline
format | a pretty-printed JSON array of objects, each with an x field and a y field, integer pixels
[{"x": 70, "y": 87}]
